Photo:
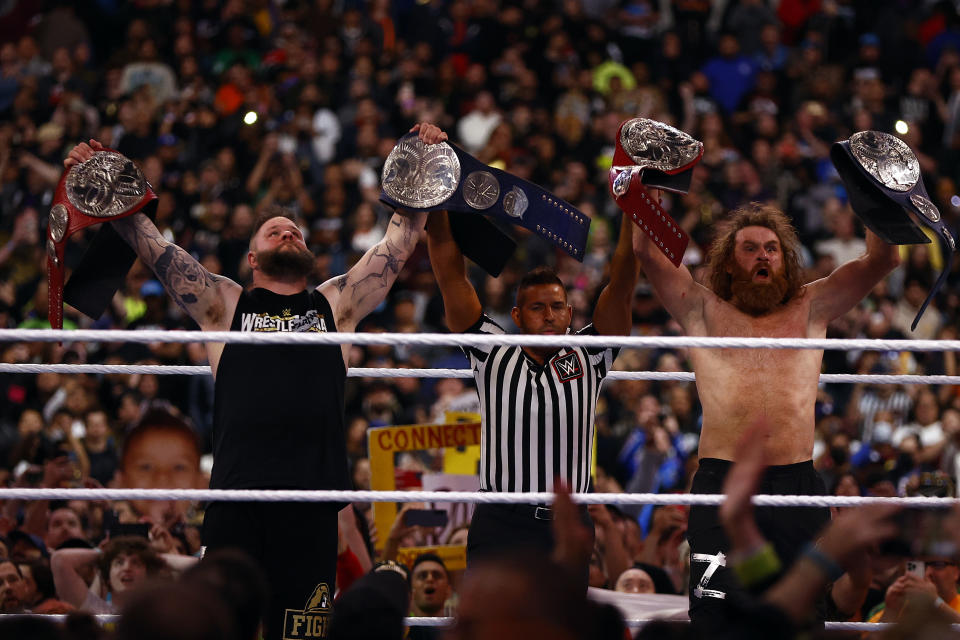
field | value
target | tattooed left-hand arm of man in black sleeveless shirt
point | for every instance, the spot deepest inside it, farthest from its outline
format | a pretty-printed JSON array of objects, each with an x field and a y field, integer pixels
[{"x": 198, "y": 292}]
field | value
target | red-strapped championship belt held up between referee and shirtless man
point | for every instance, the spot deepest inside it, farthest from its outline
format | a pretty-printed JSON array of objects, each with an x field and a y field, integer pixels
[{"x": 654, "y": 154}]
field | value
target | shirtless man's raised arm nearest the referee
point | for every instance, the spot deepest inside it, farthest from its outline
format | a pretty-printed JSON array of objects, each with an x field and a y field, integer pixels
[{"x": 682, "y": 296}]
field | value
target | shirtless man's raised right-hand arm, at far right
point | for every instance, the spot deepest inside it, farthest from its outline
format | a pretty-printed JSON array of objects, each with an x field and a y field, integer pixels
[{"x": 839, "y": 292}]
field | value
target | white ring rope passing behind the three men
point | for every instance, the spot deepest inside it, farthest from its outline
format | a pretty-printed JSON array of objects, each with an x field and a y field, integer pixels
[{"x": 384, "y": 372}]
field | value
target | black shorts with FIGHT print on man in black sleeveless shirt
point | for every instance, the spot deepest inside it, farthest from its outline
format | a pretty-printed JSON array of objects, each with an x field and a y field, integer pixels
[{"x": 296, "y": 546}]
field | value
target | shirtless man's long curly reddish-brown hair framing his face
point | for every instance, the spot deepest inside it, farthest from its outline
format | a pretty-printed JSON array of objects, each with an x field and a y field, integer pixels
[{"x": 754, "y": 214}]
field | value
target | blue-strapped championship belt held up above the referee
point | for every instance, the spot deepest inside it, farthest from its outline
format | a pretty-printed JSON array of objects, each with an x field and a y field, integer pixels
[{"x": 429, "y": 177}]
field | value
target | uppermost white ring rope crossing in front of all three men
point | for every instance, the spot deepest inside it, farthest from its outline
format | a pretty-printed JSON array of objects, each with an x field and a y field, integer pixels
[{"x": 470, "y": 340}]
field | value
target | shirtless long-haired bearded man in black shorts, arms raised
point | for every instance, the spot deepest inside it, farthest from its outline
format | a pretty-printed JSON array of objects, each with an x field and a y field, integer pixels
[{"x": 754, "y": 288}]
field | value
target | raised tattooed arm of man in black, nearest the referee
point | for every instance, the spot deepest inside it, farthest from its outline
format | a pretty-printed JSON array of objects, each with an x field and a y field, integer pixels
[{"x": 362, "y": 289}]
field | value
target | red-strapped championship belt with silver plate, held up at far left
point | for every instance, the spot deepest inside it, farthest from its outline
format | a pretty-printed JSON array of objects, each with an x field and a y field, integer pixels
[{"x": 108, "y": 186}]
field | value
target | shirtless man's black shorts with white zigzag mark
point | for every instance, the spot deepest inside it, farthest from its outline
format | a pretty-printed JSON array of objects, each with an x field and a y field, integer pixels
[{"x": 787, "y": 528}]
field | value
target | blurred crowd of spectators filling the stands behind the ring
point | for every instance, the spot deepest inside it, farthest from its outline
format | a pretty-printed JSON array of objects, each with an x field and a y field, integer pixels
[{"x": 233, "y": 105}]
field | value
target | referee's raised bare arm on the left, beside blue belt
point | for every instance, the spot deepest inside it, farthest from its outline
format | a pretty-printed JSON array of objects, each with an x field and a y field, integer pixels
[{"x": 461, "y": 305}]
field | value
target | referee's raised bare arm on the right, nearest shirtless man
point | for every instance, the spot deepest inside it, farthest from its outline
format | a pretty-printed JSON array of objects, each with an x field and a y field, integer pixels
[{"x": 612, "y": 313}]
